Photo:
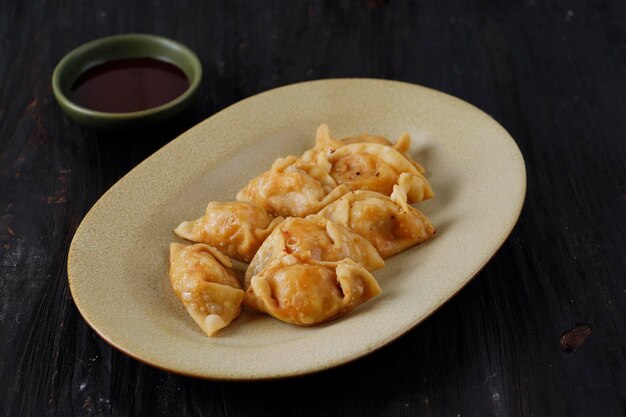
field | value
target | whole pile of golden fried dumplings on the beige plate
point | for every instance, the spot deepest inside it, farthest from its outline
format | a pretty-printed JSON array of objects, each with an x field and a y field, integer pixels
[{"x": 312, "y": 229}]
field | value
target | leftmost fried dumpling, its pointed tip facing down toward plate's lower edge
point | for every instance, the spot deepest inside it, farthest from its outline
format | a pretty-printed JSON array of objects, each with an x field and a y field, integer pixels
[{"x": 205, "y": 283}]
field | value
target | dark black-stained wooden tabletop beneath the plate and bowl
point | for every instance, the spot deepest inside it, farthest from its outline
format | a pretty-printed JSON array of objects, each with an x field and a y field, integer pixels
[{"x": 539, "y": 332}]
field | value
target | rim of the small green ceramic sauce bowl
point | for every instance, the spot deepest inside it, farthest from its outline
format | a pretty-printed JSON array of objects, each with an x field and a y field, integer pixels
[{"x": 70, "y": 106}]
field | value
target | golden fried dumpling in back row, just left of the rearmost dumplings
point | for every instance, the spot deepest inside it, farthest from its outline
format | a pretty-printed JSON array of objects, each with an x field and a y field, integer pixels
[{"x": 292, "y": 188}]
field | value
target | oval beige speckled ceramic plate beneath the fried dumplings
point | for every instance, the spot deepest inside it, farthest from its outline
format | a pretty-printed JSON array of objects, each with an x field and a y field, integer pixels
[{"x": 118, "y": 260}]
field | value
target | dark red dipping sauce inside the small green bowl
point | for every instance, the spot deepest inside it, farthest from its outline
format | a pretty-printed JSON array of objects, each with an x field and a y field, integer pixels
[{"x": 129, "y": 85}]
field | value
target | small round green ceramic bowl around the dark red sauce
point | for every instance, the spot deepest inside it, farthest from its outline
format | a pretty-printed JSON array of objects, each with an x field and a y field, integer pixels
[{"x": 117, "y": 47}]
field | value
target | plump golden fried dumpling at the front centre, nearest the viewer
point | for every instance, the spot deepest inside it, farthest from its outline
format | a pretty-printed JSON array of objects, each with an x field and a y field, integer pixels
[{"x": 300, "y": 290}]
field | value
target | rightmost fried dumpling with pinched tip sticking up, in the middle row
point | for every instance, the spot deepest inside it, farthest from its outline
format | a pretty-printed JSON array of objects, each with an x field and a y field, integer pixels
[{"x": 389, "y": 223}]
